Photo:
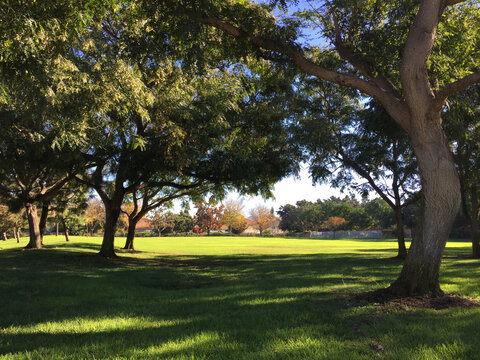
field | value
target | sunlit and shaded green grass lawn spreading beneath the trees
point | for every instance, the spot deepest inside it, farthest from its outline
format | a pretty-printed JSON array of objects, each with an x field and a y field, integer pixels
[{"x": 225, "y": 298}]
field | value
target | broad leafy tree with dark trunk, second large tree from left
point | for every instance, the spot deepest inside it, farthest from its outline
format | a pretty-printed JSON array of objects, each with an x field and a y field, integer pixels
[{"x": 199, "y": 128}]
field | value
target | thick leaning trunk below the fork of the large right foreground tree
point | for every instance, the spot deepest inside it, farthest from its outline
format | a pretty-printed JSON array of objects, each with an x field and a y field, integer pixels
[{"x": 441, "y": 199}]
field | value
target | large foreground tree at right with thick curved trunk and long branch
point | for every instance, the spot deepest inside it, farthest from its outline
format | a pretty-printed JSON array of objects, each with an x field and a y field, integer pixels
[{"x": 397, "y": 54}]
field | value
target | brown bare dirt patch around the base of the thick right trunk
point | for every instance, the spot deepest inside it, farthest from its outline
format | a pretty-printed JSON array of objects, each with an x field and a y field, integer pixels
[{"x": 384, "y": 296}]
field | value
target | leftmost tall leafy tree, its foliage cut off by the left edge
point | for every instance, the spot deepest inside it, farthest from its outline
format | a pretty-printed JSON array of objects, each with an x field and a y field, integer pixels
[{"x": 40, "y": 98}]
